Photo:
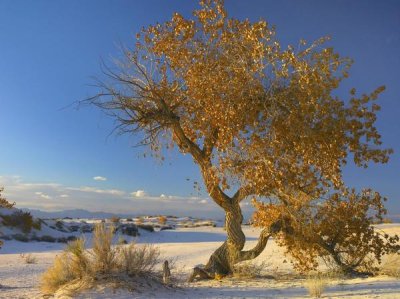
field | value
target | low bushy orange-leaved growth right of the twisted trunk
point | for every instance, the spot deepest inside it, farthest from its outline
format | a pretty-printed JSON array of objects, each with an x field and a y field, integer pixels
[{"x": 338, "y": 230}]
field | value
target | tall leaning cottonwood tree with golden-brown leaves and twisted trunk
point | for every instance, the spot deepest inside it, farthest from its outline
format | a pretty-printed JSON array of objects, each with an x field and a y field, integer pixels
[{"x": 258, "y": 119}]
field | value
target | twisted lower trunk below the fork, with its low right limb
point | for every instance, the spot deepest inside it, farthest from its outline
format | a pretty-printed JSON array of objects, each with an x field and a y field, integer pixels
[{"x": 230, "y": 252}]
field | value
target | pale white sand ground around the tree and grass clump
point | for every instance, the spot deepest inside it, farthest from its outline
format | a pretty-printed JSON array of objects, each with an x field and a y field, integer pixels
[{"x": 190, "y": 247}]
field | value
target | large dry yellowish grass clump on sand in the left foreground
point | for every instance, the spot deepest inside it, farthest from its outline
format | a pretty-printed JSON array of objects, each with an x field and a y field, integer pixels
[{"x": 81, "y": 268}]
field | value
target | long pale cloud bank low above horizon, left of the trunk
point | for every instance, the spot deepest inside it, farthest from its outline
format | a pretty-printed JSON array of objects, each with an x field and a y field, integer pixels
[{"x": 38, "y": 195}]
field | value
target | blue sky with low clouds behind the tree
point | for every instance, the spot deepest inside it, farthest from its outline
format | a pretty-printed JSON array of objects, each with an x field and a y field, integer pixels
[{"x": 49, "y": 50}]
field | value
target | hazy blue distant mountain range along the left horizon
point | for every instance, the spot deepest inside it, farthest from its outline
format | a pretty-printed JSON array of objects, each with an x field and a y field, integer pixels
[{"x": 76, "y": 213}]
